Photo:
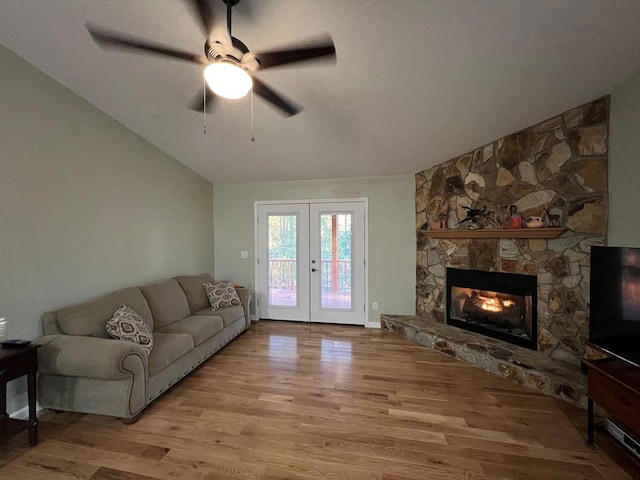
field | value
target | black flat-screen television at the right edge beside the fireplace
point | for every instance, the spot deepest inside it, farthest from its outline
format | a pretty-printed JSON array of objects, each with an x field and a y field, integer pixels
[{"x": 614, "y": 323}]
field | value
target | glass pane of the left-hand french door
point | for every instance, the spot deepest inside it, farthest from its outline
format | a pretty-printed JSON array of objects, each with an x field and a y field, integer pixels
[{"x": 283, "y": 260}]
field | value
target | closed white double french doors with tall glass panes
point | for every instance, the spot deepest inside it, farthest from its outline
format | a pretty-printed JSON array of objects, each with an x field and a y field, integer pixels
[{"x": 311, "y": 262}]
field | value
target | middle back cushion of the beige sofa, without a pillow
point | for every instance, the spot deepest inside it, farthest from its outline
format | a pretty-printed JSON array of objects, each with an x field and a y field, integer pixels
[{"x": 167, "y": 302}]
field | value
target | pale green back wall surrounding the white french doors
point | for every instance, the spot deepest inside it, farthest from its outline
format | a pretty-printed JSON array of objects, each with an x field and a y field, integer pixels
[{"x": 392, "y": 242}]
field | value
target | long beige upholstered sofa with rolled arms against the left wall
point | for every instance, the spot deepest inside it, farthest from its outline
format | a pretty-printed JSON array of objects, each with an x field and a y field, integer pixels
[{"x": 83, "y": 370}]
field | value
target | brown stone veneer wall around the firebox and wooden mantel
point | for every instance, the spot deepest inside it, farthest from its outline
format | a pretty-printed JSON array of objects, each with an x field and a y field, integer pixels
[{"x": 560, "y": 163}]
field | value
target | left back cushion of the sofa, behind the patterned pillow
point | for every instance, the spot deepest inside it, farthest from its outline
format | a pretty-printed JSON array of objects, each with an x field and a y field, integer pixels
[{"x": 90, "y": 318}]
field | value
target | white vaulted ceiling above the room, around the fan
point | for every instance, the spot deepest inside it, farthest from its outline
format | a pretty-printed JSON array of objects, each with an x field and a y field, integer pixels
[{"x": 415, "y": 82}]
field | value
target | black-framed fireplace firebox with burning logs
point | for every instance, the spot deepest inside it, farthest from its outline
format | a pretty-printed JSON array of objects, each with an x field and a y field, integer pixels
[{"x": 495, "y": 304}]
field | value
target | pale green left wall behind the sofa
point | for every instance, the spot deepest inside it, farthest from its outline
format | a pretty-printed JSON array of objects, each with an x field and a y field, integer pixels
[{"x": 86, "y": 206}]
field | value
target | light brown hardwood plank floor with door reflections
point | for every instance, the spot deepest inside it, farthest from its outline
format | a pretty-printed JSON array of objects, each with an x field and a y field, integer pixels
[{"x": 306, "y": 401}]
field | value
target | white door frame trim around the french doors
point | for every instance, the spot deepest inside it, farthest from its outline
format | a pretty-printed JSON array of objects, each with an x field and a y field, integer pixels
[{"x": 364, "y": 200}]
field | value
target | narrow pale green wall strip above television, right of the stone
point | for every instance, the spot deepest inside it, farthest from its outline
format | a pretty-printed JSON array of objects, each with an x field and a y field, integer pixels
[{"x": 624, "y": 164}]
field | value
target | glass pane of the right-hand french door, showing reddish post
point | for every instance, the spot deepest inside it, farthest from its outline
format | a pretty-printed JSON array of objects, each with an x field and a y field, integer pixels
[{"x": 336, "y": 253}]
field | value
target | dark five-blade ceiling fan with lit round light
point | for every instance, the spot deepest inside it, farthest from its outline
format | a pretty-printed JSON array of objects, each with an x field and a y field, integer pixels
[{"x": 230, "y": 66}]
